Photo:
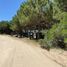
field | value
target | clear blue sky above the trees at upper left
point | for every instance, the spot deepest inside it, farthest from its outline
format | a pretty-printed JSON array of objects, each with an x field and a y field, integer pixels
[{"x": 8, "y": 8}]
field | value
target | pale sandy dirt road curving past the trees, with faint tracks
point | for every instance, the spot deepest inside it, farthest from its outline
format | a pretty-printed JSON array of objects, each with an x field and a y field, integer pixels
[{"x": 18, "y": 53}]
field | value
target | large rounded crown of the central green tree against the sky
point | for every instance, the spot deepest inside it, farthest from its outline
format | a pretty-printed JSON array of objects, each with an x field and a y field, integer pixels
[{"x": 32, "y": 13}]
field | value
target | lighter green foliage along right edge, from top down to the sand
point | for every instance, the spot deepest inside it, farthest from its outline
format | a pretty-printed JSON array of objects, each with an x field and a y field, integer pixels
[{"x": 57, "y": 35}]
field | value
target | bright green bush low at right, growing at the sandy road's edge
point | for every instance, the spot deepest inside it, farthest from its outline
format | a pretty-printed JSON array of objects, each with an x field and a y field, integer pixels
[{"x": 56, "y": 36}]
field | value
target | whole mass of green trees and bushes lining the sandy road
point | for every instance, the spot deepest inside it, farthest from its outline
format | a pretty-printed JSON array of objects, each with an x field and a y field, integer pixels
[{"x": 47, "y": 16}]
